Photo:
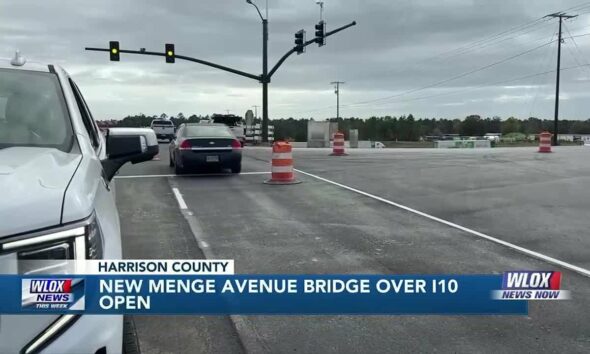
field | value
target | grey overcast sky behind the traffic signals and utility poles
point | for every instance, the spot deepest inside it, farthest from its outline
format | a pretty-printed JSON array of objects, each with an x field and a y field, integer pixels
[{"x": 398, "y": 48}]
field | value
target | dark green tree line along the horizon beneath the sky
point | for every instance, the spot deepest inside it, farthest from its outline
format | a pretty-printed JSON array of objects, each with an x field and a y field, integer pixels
[{"x": 388, "y": 128}]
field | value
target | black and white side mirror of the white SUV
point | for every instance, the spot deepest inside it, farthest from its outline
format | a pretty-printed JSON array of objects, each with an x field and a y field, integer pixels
[{"x": 128, "y": 145}]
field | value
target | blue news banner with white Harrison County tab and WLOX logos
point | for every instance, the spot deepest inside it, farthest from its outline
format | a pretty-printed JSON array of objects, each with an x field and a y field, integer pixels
[{"x": 210, "y": 287}]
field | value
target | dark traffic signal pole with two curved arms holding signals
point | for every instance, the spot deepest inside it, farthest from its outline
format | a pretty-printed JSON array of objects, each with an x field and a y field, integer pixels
[{"x": 264, "y": 78}]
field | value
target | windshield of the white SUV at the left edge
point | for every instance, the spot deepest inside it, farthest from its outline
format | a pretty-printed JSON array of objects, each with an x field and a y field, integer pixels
[{"x": 32, "y": 111}]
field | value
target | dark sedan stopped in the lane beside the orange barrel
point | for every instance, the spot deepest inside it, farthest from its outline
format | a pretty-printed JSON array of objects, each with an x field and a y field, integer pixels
[{"x": 205, "y": 146}]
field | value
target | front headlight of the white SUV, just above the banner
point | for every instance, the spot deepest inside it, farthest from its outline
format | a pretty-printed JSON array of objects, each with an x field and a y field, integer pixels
[{"x": 51, "y": 252}]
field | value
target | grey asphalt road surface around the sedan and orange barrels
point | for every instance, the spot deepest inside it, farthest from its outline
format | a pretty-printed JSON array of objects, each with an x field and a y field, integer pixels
[{"x": 534, "y": 201}]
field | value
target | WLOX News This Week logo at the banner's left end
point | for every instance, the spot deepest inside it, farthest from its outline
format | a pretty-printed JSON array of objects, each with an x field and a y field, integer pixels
[{"x": 53, "y": 294}]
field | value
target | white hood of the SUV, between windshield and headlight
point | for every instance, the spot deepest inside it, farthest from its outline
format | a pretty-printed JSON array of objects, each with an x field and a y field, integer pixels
[{"x": 32, "y": 184}]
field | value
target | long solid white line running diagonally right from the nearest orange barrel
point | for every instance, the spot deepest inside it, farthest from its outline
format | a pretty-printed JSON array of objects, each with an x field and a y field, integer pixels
[{"x": 580, "y": 270}]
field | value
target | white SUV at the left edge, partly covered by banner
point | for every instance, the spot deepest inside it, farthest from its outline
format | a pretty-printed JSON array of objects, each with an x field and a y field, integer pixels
[{"x": 58, "y": 199}]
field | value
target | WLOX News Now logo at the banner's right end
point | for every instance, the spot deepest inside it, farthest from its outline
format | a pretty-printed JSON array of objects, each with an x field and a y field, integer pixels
[{"x": 531, "y": 285}]
